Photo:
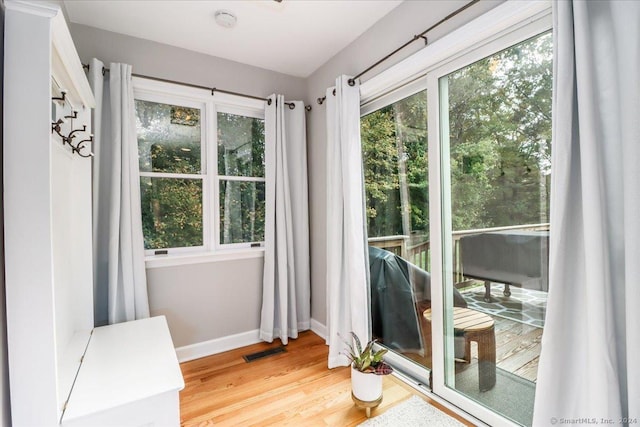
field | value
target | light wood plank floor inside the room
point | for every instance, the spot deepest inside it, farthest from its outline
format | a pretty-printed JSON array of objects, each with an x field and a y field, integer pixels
[{"x": 292, "y": 388}]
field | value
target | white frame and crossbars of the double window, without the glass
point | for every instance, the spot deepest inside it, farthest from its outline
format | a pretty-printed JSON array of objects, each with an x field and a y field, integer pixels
[{"x": 175, "y": 94}]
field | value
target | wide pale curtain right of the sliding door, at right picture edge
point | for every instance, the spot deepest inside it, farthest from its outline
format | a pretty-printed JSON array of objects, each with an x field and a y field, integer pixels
[{"x": 589, "y": 362}]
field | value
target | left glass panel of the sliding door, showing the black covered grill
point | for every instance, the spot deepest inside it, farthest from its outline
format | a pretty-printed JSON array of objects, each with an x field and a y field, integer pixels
[{"x": 394, "y": 144}]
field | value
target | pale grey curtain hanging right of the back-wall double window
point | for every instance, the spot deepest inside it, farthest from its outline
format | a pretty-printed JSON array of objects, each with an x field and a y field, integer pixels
[{"x": 286, "y": 297}]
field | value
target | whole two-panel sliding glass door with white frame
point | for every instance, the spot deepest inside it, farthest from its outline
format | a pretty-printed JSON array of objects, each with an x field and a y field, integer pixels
[{"x": 457, "y": 203}]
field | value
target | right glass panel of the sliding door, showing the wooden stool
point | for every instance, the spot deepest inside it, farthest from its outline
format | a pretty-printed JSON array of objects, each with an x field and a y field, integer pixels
[{"x": 496, "y": 164}]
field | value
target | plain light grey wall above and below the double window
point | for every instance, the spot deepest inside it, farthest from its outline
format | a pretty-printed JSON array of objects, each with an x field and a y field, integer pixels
[{"x": 202, "y": 302}]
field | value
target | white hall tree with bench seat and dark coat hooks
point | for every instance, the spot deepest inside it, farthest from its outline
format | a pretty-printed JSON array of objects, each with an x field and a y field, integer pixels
[{"x": 129, "y": 374}]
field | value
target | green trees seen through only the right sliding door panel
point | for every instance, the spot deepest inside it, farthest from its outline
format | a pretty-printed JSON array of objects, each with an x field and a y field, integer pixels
[{"x": 500, "y": 137}]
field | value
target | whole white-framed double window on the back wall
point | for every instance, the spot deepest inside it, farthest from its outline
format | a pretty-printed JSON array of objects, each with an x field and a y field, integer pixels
[{"x": 201, "y": 170}]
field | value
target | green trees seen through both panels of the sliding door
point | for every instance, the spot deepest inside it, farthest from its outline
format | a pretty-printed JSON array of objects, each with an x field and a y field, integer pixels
[{"x": 499, "y": 147}]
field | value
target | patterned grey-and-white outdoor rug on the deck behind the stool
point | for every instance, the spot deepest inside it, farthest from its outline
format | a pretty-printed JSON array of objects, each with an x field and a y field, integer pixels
[{"x": 524, "y": 305}]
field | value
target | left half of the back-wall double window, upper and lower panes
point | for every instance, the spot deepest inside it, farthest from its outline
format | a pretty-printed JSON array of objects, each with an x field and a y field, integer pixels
[{"x": 171, "y": 175}]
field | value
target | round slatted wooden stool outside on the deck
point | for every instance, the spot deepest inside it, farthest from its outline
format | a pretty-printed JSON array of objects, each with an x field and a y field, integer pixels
[{"x": 478, "y": 327}]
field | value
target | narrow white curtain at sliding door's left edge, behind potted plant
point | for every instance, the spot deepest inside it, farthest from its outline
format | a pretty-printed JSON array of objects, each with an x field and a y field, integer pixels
[{"x": 347, "y": 261}]
